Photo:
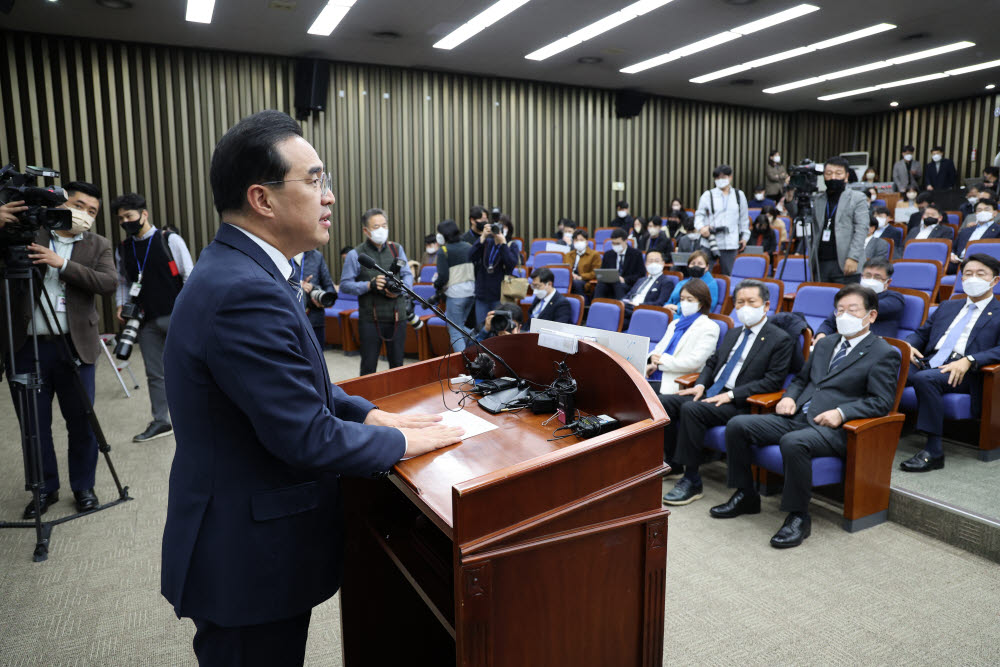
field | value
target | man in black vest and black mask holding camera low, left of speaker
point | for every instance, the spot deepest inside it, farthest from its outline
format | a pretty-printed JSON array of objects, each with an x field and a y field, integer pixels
[{"x": 152, "y": 268}]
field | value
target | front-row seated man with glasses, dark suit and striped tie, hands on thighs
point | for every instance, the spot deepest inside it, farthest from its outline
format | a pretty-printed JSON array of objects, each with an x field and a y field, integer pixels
[{"x": 851, "y": 375}]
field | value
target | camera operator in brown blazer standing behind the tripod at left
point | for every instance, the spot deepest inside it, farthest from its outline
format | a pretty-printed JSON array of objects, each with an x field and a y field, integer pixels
[{"x": 76, "y": 265}]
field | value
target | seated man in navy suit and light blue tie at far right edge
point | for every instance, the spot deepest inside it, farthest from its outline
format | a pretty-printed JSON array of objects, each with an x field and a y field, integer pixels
[{"x": 961, "y": 336}]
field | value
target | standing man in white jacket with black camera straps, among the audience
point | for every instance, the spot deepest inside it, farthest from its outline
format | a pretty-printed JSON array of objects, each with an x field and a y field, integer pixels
[{"x": 723, "y": 213}]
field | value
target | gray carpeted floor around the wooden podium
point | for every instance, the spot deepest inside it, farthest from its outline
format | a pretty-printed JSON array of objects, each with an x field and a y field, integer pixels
[{"x": 887, "y": 595}]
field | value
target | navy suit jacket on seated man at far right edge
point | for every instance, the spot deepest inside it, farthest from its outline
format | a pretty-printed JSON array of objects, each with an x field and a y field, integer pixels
[{"x": 983, "y": 343}]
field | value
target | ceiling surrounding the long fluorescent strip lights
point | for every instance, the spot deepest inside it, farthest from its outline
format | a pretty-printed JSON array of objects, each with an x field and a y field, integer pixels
[{"x": 254, "y": 26}]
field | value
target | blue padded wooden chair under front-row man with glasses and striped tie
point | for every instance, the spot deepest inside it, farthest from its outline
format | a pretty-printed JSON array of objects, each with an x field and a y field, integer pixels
[{"x": 866, "y": 471}]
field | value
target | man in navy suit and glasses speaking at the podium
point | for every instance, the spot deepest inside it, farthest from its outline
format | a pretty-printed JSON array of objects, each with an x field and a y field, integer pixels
[{"x": 254, "y": 534}]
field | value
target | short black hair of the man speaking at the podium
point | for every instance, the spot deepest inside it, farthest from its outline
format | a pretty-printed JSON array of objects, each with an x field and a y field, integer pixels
[{"x": 248, "y": 154}]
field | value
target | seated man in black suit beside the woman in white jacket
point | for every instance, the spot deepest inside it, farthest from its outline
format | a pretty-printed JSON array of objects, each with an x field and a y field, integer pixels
[{"x": 753, "y": 359}]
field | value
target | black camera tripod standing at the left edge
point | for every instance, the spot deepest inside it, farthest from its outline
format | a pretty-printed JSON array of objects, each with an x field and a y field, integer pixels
[{"x": 27, "y": 386}]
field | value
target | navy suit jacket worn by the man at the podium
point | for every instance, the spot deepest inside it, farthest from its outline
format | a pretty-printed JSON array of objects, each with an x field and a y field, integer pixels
[{"x": 254, "y": 529}]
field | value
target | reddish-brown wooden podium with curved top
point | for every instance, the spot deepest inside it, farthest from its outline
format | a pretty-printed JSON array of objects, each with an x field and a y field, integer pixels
[{"x": 509, "y": 549}]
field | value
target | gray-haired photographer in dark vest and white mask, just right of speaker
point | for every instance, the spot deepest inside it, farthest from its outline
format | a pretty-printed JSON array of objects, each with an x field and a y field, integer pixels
[{"x": 381, "y": 312}]
